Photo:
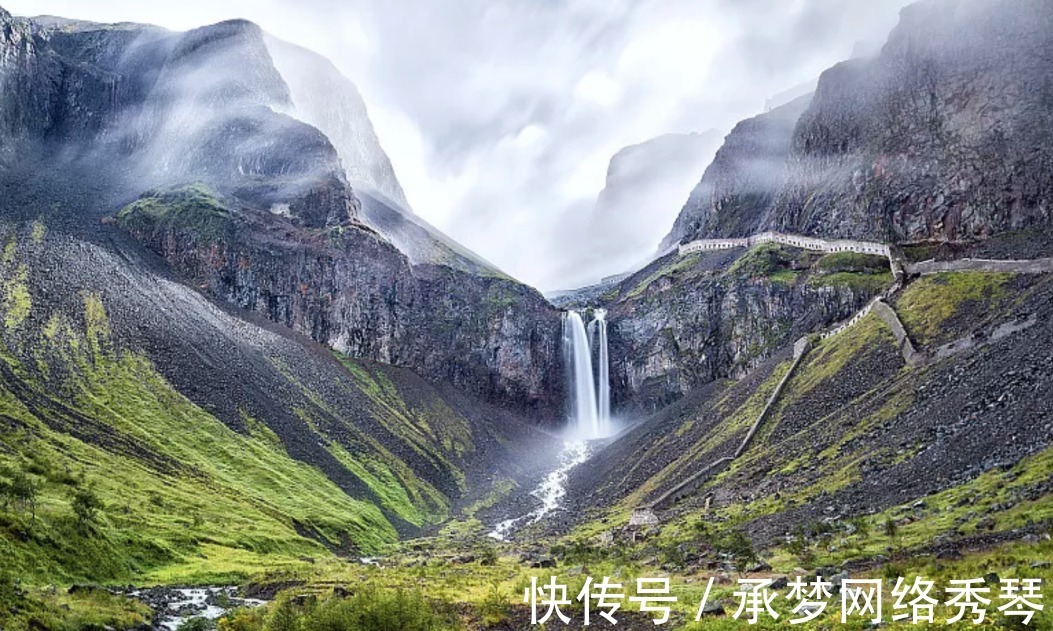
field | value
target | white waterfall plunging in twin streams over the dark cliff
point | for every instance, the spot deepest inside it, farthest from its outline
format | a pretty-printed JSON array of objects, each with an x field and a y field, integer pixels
[{"x": 589, "y": 385}]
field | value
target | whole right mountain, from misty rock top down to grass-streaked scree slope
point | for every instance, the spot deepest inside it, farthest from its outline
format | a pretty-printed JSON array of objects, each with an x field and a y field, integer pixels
[{"x": 760, "y": 415}]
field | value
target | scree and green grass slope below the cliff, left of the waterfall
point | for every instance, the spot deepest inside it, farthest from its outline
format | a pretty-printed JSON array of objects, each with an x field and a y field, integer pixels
[{"x": 181, "y": 492}]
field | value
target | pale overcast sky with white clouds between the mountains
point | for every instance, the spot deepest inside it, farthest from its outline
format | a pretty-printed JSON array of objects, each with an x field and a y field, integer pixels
[{"x": 501, "y": 116}]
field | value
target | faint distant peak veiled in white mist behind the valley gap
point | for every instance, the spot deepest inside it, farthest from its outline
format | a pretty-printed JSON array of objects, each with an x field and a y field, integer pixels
[{"x": 643, "y": 181}]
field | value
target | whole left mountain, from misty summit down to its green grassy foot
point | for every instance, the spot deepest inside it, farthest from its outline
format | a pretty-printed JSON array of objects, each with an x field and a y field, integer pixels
[{"x": 200, "y": 327}]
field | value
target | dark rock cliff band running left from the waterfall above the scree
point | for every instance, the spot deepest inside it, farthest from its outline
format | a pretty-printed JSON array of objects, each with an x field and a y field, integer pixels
[{"x": 353, "y": 291}]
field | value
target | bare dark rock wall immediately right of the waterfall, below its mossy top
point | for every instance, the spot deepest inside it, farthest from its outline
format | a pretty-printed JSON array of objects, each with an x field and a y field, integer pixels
[{"x": 671, "y": 342}]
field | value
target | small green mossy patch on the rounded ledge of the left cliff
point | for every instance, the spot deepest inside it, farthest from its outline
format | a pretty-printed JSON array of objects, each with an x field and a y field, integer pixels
[{"x": 194, "y": 209}]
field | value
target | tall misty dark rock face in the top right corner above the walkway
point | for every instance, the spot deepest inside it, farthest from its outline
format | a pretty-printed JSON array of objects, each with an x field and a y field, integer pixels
[{"x": 947, "y": 135}]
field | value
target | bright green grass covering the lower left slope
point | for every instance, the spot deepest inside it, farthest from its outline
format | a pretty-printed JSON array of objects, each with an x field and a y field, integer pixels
[{"x": 112, "y": 476}]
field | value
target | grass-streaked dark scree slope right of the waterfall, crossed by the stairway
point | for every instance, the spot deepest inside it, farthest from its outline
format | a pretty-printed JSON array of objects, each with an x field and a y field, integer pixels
[{"x": 860, "y": 441}]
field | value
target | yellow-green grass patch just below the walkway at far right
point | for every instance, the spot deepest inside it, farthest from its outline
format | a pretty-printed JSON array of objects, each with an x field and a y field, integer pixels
[{"x": 932, "y": 302}]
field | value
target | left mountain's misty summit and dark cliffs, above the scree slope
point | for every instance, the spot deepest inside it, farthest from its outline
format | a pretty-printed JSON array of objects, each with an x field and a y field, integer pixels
[{"x": 253, "y": 206}]
